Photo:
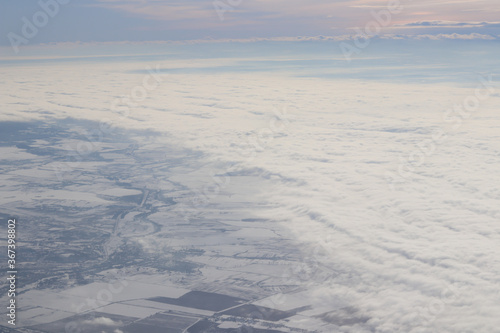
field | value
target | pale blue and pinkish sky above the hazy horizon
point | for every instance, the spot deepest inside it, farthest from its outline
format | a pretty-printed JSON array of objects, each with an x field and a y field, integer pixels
[{"x": 162, "y": 20}]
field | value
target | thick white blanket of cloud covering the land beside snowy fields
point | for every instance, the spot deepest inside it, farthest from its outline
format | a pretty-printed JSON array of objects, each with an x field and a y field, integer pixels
[{"x": 420, "y": 258}]
